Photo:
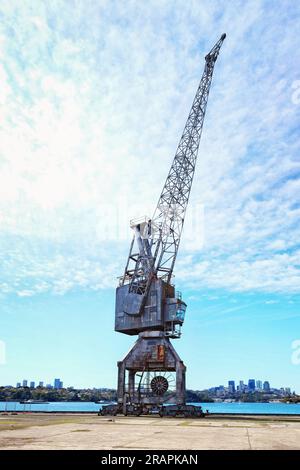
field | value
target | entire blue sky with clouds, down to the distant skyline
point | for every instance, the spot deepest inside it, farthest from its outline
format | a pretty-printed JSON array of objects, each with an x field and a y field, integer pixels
[{"x": 93, "y": 99}]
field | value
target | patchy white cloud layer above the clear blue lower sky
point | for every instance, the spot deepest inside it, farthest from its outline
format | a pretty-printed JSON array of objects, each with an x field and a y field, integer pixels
[{"x": 92, "y": 103}]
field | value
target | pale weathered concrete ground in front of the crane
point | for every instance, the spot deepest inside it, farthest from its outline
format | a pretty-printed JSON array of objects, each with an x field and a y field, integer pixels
[{"x": 61, "y": 431}]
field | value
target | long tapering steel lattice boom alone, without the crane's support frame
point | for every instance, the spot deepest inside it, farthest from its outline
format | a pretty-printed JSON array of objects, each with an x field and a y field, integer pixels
[{"x": 172, "y": 204}]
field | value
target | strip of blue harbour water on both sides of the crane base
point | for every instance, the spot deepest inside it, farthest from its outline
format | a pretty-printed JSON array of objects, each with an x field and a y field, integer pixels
[{"x": 235, "y": 408}]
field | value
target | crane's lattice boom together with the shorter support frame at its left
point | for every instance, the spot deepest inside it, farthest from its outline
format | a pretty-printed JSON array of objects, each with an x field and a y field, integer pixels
[{"x": 156, "y": 241}]
